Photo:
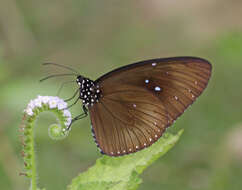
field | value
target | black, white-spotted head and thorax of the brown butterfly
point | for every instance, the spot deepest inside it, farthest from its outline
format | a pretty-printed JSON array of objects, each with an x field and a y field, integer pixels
[{"x": 89, "y": 92}]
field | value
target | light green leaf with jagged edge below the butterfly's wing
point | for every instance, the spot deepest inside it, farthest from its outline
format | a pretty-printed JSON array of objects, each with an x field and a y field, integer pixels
[{"x": 115, "y": 173}]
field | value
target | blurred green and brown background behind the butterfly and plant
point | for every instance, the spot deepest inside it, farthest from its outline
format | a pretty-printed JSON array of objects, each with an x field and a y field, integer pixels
[{"x": 97, "y": 36}]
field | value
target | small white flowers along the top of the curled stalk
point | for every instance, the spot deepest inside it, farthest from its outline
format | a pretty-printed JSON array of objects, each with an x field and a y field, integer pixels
[{"x": 52, "y": 102}]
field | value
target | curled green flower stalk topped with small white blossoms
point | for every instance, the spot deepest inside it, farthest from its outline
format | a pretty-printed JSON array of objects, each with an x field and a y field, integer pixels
[{"x": 56, "y": 131}]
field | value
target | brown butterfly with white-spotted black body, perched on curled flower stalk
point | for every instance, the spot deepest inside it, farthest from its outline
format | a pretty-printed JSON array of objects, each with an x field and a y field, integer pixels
[{"x": 132, "y": 106}]
